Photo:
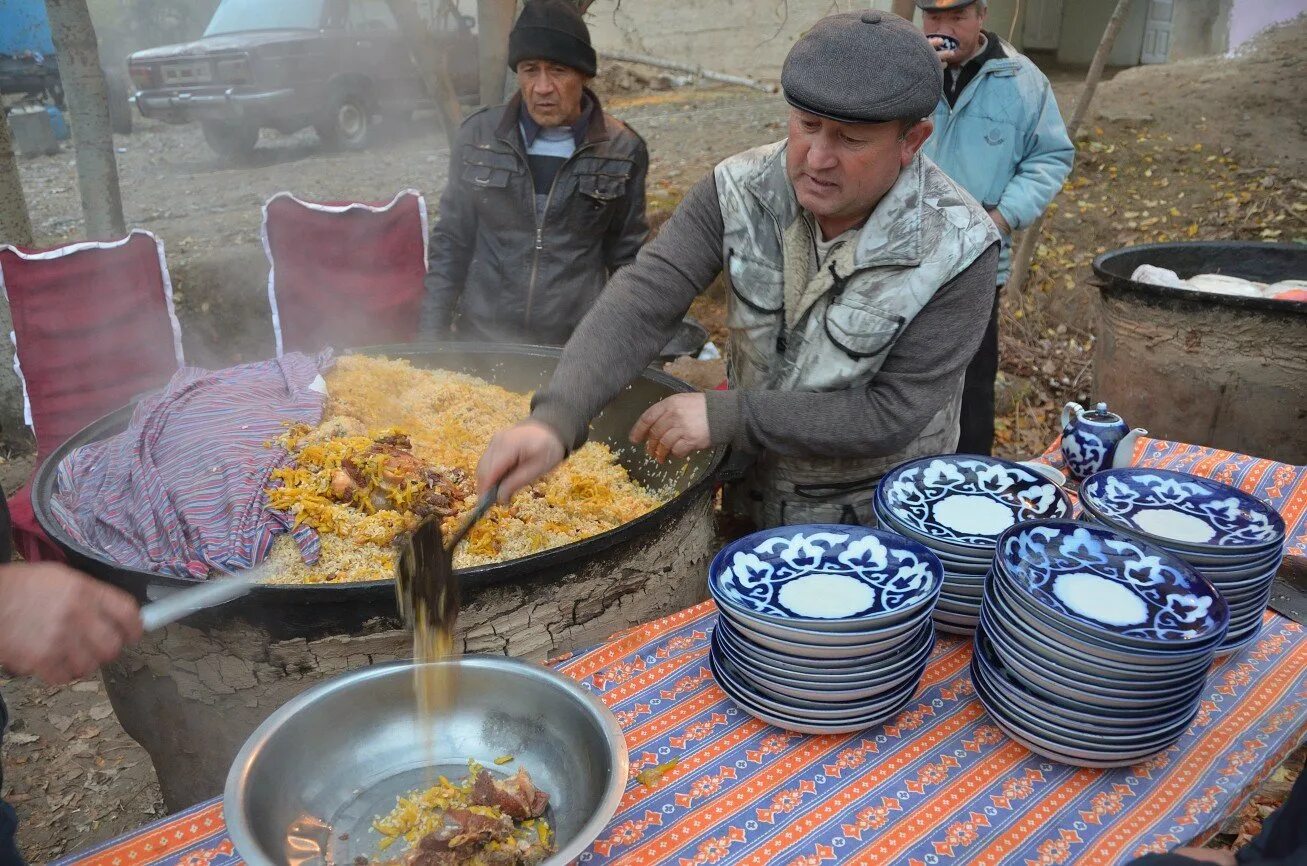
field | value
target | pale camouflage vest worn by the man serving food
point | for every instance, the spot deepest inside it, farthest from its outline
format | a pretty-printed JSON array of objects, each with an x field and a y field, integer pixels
[{"x": 798, "y": 329}]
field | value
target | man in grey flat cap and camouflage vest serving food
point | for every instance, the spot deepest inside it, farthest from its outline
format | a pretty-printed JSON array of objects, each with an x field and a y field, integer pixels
[{"x": 861, "y": 279}]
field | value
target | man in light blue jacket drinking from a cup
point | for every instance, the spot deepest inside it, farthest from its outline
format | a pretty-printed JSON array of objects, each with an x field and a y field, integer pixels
[{"x": 999, "y": 135}]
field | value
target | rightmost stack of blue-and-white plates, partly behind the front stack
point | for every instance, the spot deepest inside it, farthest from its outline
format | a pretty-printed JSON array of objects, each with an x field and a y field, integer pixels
[{"x": 1234, "y": 540}]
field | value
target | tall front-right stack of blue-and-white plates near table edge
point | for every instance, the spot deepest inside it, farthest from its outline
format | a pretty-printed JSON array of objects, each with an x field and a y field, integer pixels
[{"x": 1093, "y": 647}]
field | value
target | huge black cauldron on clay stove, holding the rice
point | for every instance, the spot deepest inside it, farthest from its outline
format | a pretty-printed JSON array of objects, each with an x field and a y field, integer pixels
[{"x": 193, "y": 693}]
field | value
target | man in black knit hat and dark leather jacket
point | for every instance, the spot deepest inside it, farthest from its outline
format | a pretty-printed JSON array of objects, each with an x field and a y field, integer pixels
[{"x": 546, "y": 198}]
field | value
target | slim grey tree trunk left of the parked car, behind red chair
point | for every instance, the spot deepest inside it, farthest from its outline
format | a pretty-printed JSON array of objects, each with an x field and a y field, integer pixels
[{"x": 87, "y": 96}]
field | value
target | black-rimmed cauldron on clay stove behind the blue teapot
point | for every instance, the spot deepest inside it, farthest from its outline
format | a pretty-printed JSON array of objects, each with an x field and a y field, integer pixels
[{"x": 1202, "y": 368}]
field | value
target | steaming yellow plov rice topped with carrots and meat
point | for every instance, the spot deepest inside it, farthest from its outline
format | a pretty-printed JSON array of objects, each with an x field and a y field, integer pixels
[{"x": 401, "y": 442}]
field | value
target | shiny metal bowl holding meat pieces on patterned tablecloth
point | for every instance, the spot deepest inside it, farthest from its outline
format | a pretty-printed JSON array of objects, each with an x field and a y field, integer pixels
[{"x": 309, "y": 783}]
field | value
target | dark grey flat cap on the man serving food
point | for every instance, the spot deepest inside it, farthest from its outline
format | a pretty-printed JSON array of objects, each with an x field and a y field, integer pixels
[{"x": 863, "y": 67}]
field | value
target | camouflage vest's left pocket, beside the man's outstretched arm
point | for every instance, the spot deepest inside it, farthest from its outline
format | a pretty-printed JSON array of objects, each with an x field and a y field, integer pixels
[{"x": 755, "y": 312}]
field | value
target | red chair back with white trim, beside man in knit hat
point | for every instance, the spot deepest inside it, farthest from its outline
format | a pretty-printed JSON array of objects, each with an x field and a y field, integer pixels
[{"x": 344, "y": 275}]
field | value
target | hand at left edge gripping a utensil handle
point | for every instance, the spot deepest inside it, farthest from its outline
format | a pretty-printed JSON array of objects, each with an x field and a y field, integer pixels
[{"x": 62, "y": 625}]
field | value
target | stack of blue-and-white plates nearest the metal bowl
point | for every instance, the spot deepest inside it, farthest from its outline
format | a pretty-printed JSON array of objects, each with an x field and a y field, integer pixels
[{"x": 823, "y": 629}]
